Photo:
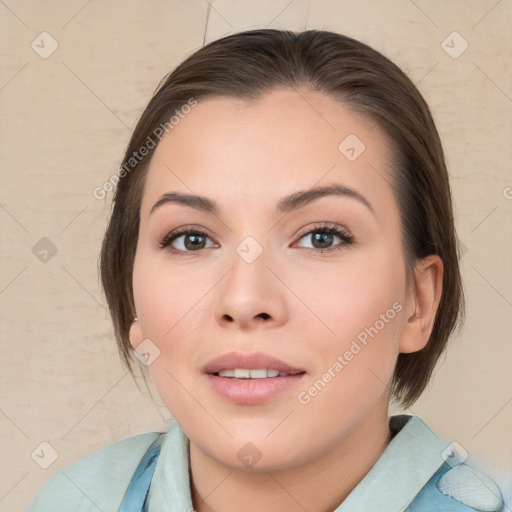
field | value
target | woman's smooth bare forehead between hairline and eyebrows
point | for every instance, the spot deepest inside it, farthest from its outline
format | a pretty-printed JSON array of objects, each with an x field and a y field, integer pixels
[{"x": 251, "y": 154}]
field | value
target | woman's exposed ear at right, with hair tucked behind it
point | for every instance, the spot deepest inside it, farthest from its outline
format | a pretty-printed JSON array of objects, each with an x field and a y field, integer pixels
[{"x": 422, "y": 302}]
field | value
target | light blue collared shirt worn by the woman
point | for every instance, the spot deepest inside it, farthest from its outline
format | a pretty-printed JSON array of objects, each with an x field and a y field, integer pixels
[{"x": 414, "y": 473}]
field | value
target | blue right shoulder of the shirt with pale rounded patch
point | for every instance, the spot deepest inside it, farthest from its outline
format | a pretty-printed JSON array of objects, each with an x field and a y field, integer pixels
[{"x": 461, "y": 488}]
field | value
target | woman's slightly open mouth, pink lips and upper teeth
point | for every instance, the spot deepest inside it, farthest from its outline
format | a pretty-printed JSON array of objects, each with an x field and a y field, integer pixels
[{"x": 251, "y": 379}]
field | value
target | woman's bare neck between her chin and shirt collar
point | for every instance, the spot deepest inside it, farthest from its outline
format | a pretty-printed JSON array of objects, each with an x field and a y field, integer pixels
[{"x": 320, "y": 485}]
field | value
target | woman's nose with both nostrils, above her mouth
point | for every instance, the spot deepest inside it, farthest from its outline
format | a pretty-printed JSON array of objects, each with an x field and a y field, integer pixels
[{"x": 250, "y": 295}]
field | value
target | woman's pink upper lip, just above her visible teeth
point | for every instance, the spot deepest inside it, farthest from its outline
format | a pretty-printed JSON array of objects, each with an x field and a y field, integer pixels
[{"x": 259, "y": 360}]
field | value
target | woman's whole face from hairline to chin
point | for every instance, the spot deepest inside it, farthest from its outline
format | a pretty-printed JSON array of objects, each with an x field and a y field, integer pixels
[{"x": 313, "y": 288}]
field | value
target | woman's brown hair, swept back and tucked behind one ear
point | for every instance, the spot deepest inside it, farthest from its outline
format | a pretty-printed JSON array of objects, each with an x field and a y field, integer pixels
[{"x": 249, "y": 64}]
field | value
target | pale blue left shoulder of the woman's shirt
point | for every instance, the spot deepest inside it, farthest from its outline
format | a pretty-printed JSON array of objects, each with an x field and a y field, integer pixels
[{"x": 95, "y": 482}]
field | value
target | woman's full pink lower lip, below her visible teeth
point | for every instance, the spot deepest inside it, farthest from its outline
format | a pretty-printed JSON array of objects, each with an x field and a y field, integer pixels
[{"x": 252, "y": 391}]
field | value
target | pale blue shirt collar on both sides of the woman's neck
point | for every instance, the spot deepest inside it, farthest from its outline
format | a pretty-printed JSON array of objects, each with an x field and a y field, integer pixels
[{"x": 414, "y": 441}]
